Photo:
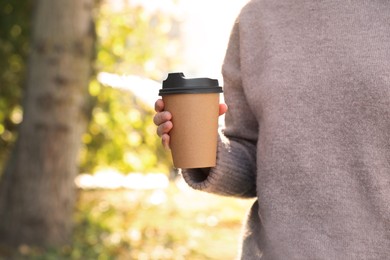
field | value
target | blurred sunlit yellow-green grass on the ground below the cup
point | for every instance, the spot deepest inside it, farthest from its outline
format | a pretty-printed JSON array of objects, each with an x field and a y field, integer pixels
[{"x": 173, "y": 223}]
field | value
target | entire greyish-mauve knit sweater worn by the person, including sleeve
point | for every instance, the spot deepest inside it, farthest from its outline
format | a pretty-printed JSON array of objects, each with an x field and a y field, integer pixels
[{"x": 307, "y": 83}]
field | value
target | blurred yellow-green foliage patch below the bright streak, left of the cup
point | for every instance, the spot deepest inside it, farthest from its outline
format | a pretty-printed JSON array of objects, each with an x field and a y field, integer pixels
[{"x": 122, "y": 135}]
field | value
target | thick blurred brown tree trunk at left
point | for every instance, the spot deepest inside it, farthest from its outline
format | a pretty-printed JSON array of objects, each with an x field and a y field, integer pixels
[{"x": 37, "y": 191}]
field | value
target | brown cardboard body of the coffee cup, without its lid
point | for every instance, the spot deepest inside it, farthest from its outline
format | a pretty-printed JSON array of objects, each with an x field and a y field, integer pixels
[{"x": 193, "y": 138}]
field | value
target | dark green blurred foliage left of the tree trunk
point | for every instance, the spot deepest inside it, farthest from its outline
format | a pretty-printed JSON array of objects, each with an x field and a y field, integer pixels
[{"x": 14, "y": 47}]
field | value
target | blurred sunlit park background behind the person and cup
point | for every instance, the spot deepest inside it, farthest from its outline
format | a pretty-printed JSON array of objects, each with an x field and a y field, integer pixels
[{"x": 83, "y": 173}]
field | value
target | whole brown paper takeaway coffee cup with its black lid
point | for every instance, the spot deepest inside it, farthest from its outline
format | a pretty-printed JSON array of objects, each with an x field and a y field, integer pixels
[{"x": 194, "y": 105}]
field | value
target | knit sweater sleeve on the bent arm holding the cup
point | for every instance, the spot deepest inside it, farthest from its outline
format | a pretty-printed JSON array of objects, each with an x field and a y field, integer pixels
[{"x": 235, "y": 172}]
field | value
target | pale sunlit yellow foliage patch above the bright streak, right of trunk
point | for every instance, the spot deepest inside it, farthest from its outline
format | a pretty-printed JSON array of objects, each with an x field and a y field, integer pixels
[{"x": 135, "y": 41}]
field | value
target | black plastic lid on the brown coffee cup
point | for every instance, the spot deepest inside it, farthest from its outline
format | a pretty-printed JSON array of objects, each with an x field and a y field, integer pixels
[{"x": 176, "y": 83}]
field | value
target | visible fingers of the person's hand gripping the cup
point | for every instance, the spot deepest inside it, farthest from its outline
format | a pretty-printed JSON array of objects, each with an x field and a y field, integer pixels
[{"x": 162, "y": 120}]
